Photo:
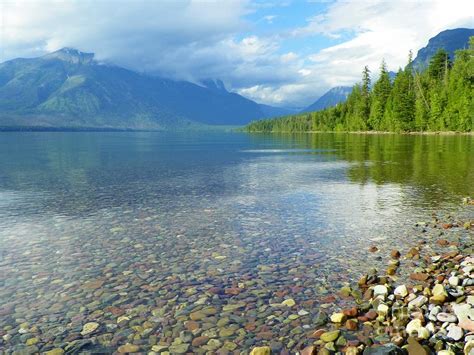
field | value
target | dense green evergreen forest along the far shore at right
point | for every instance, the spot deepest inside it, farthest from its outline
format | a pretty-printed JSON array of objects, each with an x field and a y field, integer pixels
[{"x": 441, "y": 98}]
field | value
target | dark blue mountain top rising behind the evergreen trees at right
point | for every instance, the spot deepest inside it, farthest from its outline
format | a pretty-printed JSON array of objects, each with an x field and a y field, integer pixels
[{"x": 450, "y": 40}]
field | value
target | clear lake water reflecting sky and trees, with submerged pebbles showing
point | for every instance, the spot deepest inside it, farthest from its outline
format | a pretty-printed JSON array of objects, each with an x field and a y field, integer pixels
[{"x": 155, "y": 226}]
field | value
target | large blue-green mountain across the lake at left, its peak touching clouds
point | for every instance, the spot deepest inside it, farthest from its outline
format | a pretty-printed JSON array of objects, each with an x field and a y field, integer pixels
[{"x": 70, "y": 89}]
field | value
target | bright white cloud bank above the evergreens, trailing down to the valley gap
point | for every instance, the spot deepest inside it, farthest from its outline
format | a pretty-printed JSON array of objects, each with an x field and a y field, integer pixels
[{"x": 379, "y": 29}]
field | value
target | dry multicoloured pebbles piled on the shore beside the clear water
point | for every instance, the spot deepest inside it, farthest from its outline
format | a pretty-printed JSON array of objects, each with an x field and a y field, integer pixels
[{"x": 429, "y": 311}]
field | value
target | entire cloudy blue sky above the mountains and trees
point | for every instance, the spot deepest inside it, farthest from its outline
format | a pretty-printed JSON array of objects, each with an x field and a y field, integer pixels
[{"x": 282, "y": 53}]
